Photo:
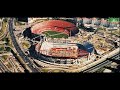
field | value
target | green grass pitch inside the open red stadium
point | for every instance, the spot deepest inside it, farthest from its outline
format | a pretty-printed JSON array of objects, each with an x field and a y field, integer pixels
[{"x": 54, "y": 34}]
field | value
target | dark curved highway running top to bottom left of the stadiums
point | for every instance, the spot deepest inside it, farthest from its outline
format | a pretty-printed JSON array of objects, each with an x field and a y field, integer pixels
[{"x": 29, "y": 65}]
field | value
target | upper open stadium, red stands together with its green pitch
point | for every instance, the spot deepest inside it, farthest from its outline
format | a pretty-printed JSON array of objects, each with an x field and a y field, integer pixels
[{"x": 55, "y": 29}]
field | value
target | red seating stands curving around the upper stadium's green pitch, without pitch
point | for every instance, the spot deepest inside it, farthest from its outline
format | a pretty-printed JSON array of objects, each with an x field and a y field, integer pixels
[{"x": 54, "y": 25}]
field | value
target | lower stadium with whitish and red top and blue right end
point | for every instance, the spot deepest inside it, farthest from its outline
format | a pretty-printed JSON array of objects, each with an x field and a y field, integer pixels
[{"x": 64, "y": 50}]
